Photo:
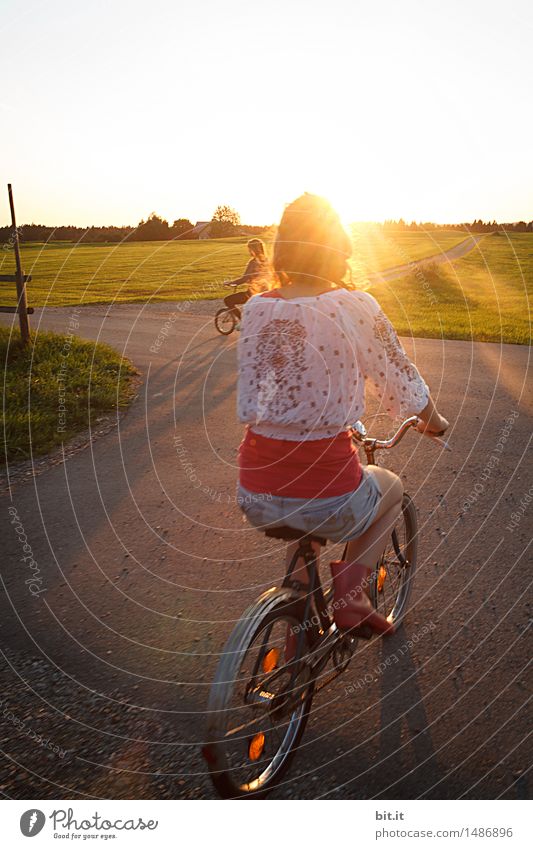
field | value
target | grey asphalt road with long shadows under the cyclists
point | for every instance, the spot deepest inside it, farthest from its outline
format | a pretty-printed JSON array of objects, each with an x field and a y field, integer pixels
[{"x": 145, "y": 564}]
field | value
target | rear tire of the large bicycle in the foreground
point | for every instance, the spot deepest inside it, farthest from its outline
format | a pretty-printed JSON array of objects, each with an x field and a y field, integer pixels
[{"x": 274, "y": 605}]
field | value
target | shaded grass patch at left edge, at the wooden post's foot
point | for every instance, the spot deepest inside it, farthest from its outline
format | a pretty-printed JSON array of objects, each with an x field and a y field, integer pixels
[{"x": 59, "y": 386}]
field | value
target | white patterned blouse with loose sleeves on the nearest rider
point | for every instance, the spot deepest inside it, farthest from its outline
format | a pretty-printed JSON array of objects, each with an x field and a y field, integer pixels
[{"x": 304, "y": 363}]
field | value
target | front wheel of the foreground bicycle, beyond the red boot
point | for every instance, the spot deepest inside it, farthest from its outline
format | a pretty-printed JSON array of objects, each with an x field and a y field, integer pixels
[{"x": 392, "y": 580}]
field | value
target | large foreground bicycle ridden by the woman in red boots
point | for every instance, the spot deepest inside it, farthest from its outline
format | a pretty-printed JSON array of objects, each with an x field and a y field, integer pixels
[{"x": 260, "y": 700}]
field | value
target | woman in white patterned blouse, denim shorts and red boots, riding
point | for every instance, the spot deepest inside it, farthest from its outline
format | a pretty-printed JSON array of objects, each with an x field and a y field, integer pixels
[{"x": 307, "y": 350}]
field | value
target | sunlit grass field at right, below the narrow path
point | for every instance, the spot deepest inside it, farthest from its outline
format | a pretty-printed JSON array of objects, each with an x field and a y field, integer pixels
[{"x": 486, "y": 295}]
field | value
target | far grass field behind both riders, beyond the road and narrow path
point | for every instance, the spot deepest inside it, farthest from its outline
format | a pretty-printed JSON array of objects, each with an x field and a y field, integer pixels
[{"x": 65, "y": 274}]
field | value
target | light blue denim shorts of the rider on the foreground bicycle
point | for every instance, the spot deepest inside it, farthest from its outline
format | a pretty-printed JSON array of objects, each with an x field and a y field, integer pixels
[{"x": 339, "y": 519}]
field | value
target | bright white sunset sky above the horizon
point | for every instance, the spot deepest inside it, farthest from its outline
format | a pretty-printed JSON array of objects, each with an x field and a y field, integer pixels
[{"x": 417, "y": 109}]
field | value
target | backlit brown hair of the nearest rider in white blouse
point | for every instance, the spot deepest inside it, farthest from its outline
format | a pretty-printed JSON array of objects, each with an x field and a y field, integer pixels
[{"x": 311, "y": 242}]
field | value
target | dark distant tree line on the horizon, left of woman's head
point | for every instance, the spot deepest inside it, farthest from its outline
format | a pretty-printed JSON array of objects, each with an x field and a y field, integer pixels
[{"x": 225, "y": 222}]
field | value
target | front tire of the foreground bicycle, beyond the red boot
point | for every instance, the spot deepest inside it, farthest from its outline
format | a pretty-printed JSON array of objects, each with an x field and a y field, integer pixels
[{"x": 406, "y": 573}]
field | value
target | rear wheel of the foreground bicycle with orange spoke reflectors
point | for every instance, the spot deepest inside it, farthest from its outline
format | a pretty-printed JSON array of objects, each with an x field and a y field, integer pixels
[{"x": 260, "y": 701}]
